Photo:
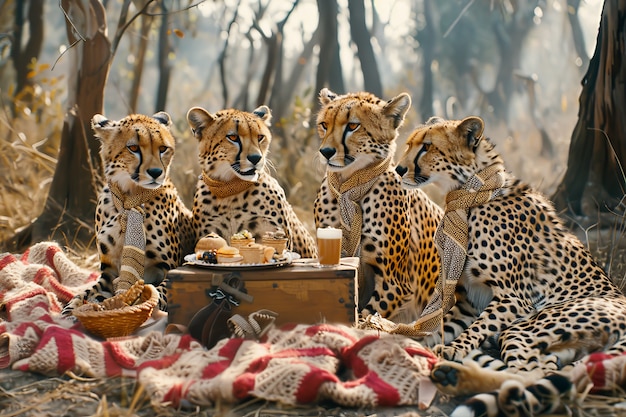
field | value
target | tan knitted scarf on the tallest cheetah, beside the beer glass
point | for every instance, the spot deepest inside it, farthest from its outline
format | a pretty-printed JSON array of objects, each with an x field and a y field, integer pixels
[{"x": 349, "y": 193}]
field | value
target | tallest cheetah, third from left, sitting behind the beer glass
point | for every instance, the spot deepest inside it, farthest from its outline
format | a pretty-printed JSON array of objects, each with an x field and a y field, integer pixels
[{"x": 391, "y": 229}]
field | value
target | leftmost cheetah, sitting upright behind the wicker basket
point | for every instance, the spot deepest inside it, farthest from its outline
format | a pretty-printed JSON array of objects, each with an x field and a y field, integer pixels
[{"x": 136, "y": 153}]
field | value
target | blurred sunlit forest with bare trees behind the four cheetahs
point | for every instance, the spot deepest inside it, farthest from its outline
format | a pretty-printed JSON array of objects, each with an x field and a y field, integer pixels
[{"x": 519, "y": 64}]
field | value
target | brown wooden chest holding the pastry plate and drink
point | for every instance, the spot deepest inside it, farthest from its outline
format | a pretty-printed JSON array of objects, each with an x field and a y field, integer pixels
[{"x": 298, "y": 293}]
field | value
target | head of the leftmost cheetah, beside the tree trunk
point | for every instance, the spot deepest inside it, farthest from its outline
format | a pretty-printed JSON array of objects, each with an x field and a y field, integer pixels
[{"x": 137, "y": 150}]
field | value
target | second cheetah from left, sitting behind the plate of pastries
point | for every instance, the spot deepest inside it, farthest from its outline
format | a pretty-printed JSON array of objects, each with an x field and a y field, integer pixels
[{"x": 235, "y": 191}]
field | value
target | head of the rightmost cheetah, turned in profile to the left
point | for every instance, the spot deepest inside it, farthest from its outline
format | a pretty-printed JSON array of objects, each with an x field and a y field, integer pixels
[{"x": 442, "y": 152}]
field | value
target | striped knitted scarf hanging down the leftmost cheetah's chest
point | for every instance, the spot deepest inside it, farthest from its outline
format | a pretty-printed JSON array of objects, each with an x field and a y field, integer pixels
[{"x": 132, "y": 226}]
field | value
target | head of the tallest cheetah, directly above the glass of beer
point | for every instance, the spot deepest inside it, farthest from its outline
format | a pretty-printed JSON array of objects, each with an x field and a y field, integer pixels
[{"x": 358, "y": 129}]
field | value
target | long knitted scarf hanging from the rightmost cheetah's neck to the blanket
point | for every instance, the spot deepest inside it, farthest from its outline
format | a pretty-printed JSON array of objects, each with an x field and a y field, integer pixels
[{"x": 451, "y": 239}]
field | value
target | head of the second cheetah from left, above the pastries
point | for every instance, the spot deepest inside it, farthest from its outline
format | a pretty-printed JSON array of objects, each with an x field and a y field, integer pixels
[{"x": 232, "y": 143}]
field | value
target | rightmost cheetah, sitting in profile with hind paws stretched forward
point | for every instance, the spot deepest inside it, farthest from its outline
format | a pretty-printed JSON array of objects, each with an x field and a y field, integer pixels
[{"x": 539, "y": 292}]
